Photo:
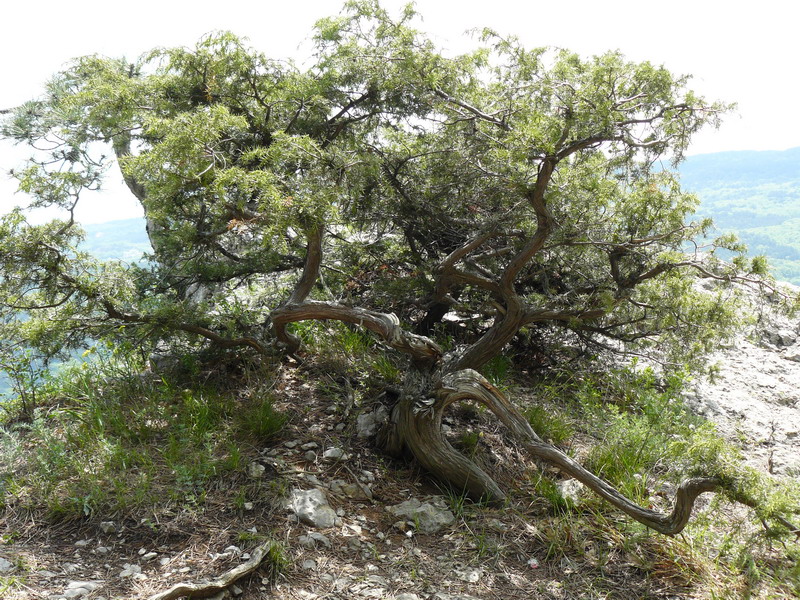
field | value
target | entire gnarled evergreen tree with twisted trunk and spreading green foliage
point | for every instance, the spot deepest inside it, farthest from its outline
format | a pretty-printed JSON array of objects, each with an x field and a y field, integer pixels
[{"x": 460, "y": 202}]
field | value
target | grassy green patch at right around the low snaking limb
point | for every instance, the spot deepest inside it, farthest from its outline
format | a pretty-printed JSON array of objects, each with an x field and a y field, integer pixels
[{"x": 647, "y": 440}]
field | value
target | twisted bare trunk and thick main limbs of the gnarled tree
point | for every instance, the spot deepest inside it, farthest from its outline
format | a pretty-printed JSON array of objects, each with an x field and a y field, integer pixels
[{"x": 435, "y": 381}]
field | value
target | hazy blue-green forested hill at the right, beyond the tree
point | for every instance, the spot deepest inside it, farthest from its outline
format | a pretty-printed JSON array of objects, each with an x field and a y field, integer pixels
[{"x": 757, "y": 196}]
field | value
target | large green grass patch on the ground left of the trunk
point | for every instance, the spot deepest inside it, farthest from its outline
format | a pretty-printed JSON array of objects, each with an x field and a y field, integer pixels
[{"x": 108, "y": 439}]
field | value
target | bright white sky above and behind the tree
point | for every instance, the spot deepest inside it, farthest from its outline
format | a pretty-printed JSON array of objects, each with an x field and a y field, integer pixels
[{"x": 747, "y": 54}]
